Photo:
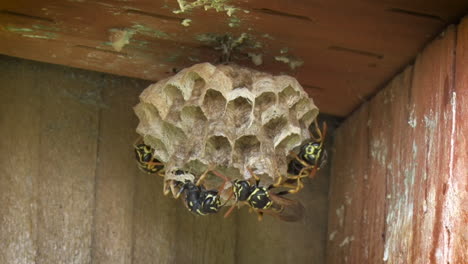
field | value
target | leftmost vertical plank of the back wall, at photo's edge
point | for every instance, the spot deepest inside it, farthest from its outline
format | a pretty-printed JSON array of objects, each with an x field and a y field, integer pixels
[{"x": 19, "y": 161}]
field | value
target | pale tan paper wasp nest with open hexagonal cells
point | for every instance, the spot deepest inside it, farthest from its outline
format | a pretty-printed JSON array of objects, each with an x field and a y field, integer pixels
[{"x": 226, "y": 116}]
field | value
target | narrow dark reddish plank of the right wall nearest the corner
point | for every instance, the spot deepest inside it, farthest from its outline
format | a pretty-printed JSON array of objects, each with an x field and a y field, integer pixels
[{"x": 348, "y": 175}]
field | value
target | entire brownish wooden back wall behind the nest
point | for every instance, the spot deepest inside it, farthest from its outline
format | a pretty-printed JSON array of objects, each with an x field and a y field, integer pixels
[{"x": 70, "y": 191}]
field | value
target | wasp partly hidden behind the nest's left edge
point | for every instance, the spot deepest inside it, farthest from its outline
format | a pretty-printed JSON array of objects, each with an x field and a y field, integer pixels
[{"x": 146, "y": 161}]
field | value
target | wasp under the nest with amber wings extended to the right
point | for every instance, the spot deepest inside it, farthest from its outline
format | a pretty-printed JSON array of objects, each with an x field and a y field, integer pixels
[{"x": 262, "y": 200}]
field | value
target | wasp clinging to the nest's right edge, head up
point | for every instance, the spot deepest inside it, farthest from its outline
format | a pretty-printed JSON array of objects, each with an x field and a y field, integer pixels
[{"x": 312, "y": 156}]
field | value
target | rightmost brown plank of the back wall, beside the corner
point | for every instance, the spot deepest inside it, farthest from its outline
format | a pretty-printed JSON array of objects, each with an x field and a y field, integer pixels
[{"x": 273, "y": 241}]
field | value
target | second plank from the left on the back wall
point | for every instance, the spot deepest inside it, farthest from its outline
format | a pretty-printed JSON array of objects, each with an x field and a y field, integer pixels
[{"x": 65, "y": 185}]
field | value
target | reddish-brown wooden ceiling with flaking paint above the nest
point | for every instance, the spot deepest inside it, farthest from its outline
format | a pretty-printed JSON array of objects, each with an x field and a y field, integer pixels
[{"x": 340, "y": 51}]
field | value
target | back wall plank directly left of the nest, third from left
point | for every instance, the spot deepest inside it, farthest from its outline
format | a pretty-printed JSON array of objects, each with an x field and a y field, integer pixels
[{"x": 116, "y": 173}]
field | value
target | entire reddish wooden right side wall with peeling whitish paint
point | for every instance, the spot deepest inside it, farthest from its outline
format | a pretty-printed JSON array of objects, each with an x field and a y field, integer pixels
[{"x": 413, "y": 199}]
